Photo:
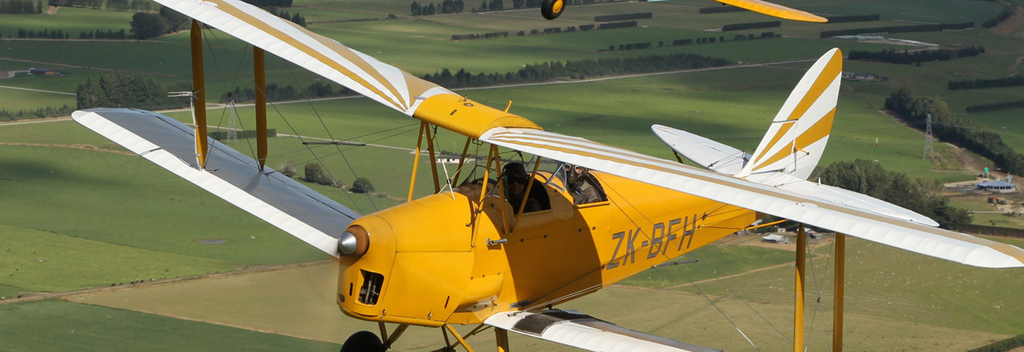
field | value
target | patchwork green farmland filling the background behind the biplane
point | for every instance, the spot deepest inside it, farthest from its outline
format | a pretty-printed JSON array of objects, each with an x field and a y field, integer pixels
[{"x": 78, "y": 212}]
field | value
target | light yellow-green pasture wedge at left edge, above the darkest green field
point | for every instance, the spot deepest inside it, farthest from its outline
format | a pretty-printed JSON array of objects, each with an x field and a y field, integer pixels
[{"x": 42, "y": 261}]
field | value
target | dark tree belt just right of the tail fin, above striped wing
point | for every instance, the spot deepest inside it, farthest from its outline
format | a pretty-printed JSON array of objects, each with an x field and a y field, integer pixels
[{"x": 921, "y": 196}]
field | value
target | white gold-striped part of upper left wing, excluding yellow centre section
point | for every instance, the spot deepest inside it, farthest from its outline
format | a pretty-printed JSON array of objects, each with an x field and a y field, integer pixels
[{"x": 385, "y": 83}]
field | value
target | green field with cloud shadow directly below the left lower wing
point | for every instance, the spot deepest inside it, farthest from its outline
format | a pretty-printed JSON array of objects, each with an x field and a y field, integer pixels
[{"x": 127, "y": 201}]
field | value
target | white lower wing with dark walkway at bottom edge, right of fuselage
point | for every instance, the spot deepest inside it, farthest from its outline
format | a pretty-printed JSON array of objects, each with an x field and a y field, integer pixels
[{"x": 581, "y": 331}]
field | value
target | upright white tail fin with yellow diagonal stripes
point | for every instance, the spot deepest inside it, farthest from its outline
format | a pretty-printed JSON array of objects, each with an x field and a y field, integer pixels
[{"x": 799, "y": 134}]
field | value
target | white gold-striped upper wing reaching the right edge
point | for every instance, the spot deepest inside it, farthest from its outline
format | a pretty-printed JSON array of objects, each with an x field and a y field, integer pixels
[{"x": 805, "y": 209}]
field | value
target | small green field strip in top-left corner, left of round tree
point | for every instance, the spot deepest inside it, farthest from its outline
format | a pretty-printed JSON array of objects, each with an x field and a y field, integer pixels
[{"x": 69, "y": 20}]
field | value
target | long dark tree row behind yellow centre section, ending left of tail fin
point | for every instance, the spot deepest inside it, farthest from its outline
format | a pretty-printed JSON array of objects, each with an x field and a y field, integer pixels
[{"x": 577, "y": 70}]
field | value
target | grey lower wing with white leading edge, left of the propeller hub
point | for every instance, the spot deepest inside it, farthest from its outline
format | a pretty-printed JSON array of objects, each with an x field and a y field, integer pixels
[{"x": 231, "y": 175}]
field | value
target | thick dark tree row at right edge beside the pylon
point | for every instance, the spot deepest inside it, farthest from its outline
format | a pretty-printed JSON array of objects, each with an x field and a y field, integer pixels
[{"x": 955, "y": 128}]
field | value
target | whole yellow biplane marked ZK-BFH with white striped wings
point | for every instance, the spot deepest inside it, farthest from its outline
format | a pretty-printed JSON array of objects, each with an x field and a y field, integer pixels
[{"x": 502, "y": 250}]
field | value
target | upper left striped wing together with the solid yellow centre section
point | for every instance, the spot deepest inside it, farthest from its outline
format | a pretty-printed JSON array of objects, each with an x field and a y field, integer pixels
[{"x": 387, "y": 84}]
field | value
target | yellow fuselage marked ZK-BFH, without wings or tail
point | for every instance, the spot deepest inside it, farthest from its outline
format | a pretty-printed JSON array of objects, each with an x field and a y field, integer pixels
[{"x": 449, "y": 259}]
